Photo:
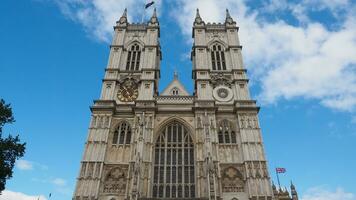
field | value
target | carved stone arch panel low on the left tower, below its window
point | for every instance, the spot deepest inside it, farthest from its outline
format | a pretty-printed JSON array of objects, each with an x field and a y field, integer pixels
[{"x": 115, "y": 180}]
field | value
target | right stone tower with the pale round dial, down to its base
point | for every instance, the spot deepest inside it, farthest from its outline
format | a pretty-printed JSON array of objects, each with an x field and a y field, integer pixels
[{"x": 233, "y": 140}]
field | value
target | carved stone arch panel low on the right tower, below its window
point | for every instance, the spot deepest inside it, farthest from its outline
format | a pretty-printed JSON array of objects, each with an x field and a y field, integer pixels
[{"x": 232, "y": 180}]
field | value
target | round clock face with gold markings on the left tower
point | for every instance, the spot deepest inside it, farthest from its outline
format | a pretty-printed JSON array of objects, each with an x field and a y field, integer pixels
[{"x": 128, "y": 91}]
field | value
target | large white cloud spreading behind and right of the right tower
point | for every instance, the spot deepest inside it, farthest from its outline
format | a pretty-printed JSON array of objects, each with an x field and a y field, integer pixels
[{"x": 289, "y": 61}]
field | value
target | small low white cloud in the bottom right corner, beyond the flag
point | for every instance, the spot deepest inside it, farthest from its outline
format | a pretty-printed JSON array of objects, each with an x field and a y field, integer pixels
[{"x": 320, "y": 193}]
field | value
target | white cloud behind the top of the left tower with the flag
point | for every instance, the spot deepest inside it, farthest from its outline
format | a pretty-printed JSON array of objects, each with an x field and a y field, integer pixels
[{"x": 99, "y": 16}]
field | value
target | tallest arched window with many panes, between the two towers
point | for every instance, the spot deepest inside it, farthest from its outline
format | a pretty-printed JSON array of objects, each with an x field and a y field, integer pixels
[{"x": 173, "y": 175}]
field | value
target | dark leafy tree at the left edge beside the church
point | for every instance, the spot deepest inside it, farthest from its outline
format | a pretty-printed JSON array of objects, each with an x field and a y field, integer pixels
[{"x": 10, "y": 147}]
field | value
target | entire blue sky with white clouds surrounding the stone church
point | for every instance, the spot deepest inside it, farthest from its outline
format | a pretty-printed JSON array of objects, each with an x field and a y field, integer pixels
[{"x": 300, "y": 56}]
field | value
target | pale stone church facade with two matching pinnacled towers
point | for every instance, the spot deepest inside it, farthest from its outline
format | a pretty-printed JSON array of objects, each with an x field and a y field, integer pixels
[{"x": 143, "y": 144}]
